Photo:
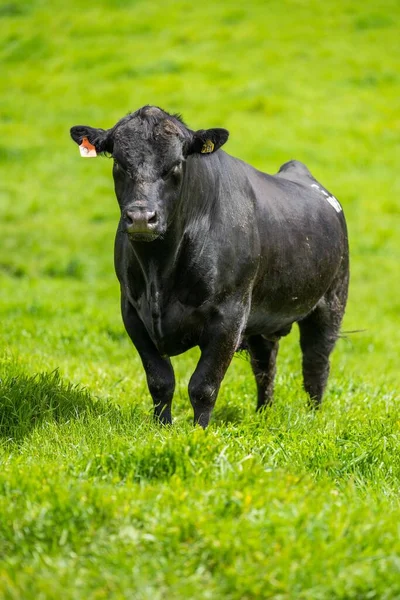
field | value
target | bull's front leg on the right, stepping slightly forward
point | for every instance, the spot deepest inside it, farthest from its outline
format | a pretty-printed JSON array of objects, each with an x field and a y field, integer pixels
[{"x": 219, "y": 342}]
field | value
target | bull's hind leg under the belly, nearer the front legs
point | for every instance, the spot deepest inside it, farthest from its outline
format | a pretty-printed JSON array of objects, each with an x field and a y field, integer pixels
[{"x": 263, "y": 361}]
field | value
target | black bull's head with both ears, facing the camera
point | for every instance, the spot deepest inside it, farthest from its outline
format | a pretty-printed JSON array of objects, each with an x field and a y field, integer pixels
[{"x": 149, "y": 148}]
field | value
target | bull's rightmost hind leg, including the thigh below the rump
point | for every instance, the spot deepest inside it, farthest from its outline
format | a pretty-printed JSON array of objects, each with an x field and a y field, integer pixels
[{"x": 318, "y": 334}]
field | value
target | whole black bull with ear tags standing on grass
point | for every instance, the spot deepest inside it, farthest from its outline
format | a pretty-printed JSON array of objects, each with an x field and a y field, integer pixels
[{"x": 210, "y": 252}]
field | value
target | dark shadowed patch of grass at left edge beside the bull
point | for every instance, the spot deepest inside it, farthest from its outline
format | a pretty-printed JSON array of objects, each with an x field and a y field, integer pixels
[{"x": 28, "y": 401}]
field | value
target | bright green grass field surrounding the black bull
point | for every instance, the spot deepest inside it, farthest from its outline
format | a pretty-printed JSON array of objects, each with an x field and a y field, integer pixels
[{"x": 95, "y": 500}]
